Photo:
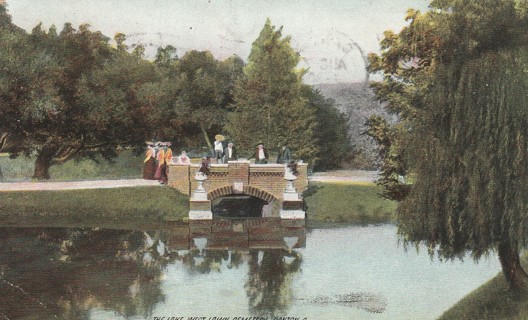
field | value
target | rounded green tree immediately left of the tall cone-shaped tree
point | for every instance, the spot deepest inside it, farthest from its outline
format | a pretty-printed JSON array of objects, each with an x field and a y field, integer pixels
[{"x": 195, "y": 95}]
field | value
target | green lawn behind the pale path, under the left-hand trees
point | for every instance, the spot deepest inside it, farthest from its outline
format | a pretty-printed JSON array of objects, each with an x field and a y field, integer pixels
[{"x": 127, "y": 165}]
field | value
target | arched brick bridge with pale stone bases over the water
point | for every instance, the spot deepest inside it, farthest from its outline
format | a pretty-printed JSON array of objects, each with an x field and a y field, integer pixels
[{"x": 263, "y": 181}]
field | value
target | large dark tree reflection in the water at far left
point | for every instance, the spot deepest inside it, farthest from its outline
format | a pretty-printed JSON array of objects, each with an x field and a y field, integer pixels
[{"x": 64, "y": 273}]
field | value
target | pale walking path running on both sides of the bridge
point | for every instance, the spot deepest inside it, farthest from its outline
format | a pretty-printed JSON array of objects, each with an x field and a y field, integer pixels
[{"x": 333, "y": 176}]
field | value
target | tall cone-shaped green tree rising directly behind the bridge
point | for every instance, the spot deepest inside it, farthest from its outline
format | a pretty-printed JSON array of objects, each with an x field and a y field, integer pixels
[{"x": 269, "y": 106}]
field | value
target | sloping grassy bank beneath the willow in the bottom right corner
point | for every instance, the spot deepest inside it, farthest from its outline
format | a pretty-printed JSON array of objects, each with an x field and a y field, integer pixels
[{"x": 492, "y": 301}]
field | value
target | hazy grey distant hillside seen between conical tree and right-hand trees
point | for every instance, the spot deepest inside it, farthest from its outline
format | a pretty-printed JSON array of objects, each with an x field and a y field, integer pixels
[{"x": 357, "y": 101}]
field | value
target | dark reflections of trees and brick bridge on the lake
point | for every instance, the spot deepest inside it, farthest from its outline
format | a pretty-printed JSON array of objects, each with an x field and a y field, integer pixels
[{"x": 69, "y": 272}]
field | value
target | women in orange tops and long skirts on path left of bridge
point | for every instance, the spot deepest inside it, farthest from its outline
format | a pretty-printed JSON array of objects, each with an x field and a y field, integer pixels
[{"x": 158, "y": 155}]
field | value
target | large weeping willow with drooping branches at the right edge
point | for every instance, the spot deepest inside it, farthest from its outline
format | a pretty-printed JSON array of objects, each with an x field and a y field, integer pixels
[{"x": 469, "y": 157}]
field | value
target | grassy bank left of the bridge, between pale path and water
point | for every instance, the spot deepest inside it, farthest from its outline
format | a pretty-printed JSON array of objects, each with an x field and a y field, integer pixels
[{"x": 148, "y": 203}]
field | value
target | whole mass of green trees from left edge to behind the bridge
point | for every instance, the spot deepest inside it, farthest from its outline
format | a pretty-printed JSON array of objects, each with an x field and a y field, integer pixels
[{"x": 75, "y": 93}]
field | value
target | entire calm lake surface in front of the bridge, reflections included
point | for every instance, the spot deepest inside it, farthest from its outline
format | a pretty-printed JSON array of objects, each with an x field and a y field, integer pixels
[{"x": 243, "y": 269}]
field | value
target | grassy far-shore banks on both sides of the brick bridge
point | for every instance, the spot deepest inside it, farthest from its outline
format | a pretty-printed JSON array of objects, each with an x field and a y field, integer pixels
[{"x": 339, "y": 203}]
